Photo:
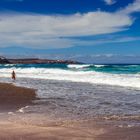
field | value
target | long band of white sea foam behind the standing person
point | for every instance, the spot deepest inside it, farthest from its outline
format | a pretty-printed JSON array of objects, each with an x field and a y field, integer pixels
[{"x": 126, "y": 80}]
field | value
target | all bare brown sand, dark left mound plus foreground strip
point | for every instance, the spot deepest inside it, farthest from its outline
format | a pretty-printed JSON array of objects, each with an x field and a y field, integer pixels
[{"x": 13, "y": 98}]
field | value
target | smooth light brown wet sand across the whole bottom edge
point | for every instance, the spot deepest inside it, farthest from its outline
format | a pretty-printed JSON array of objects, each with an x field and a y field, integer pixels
[{"x": 13, "y": 131}]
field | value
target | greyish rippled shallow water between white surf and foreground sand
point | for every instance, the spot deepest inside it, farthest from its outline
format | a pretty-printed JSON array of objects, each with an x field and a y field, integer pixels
[{"x": 74, "y": 100}]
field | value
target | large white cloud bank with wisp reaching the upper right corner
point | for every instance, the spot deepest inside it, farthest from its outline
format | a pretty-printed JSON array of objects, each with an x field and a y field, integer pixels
[{"x": 34, "y": 30}]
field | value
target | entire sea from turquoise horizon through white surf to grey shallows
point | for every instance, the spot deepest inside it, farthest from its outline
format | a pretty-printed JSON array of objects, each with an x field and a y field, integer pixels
[{"x": 79, "y": 91}]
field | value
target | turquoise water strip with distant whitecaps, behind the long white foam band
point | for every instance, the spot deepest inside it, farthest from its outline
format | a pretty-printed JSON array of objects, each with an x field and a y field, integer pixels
[{"x": 115, "y": 69}]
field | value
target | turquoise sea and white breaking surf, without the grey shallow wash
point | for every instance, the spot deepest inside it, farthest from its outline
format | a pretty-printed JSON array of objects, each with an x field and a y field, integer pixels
[{"x": 117, "y": 75}]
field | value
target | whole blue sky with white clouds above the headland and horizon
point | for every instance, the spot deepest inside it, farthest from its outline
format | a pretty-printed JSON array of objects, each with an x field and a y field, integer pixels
[{"x": 84, "y": 30}]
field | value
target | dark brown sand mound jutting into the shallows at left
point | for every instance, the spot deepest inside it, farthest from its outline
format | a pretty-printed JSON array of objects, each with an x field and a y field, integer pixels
[{"x": 13, "y": 98}]
